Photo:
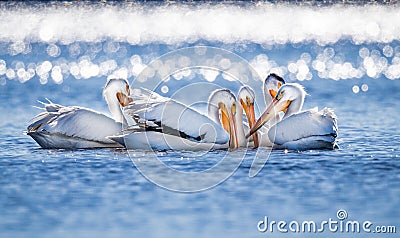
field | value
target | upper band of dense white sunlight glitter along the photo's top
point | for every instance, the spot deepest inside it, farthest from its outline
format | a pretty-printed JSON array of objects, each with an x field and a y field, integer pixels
[{"x": 138, "y": 24}]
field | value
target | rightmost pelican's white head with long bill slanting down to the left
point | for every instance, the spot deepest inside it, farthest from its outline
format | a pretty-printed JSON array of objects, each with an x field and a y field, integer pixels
[{"x": 289, "y": 98}]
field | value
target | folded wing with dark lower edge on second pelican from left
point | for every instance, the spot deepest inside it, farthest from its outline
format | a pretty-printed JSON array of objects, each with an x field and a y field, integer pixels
[{"x": 154, "y": 112}]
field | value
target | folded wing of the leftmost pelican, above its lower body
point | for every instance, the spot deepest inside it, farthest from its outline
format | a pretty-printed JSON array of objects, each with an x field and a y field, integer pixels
[{"x": 76, "y": 122}]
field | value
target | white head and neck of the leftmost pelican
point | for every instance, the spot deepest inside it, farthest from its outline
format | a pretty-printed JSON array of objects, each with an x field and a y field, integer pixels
[{"x": 116, "y": 93}]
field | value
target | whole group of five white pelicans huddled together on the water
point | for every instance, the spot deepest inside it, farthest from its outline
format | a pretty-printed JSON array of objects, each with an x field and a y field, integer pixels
[{"x": 147, "y": 120}]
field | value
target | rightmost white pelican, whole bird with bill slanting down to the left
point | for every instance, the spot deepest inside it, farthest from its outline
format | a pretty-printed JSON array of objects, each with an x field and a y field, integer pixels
[{"x": 298, "y": 130}]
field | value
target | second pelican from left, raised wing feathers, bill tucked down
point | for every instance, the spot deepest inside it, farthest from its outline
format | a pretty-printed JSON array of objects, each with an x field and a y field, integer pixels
[{"x": 165, "y": 124}]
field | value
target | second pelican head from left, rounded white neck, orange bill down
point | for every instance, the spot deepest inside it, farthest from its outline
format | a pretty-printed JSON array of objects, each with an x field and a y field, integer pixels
[{"x": 222, "y": 109}]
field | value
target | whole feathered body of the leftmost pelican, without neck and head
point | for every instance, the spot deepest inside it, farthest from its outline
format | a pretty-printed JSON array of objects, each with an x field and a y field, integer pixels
[{"x": 72, "y": 128}]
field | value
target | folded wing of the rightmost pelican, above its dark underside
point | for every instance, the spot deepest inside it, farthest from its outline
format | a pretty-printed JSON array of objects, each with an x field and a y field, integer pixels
[{"x": 306, "y": 124}]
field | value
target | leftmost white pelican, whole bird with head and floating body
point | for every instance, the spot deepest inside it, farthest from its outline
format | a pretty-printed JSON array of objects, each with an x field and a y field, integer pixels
[{"x": 72, "y": 127}]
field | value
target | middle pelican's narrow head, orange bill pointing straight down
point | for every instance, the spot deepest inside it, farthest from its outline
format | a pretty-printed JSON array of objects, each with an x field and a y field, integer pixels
[{"x": 247, "y": 97}]
